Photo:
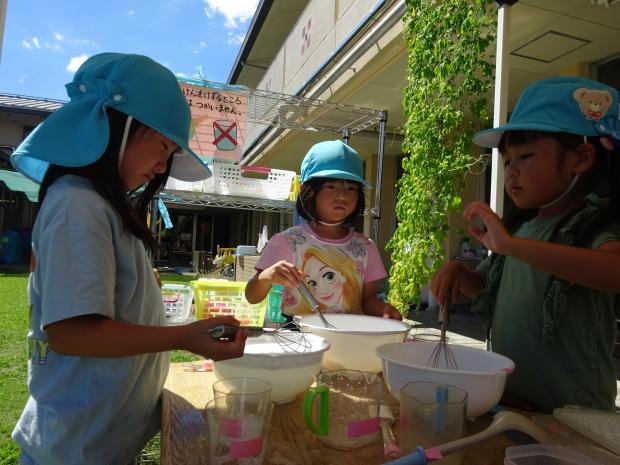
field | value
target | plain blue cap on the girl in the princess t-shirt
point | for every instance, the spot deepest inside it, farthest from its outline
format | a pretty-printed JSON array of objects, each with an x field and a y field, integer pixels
[{"x": 332, "y": 159}]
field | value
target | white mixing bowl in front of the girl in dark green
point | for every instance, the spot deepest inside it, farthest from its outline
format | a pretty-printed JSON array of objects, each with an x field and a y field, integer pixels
[{"x": 481, "y": 373}]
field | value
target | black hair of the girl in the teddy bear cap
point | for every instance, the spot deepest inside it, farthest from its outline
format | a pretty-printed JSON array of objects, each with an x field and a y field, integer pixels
[{"x": 602, "y": 179}]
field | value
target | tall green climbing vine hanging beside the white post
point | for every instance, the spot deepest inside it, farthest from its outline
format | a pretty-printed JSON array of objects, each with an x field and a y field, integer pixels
[{"x": 448, "y": 77}]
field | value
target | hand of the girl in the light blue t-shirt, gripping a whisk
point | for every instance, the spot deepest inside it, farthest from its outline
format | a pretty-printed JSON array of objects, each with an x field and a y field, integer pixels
[{"x": 198, "y": 341}]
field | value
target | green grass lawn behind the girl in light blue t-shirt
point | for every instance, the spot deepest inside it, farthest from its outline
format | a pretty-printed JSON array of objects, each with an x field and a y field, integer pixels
[{"x": 13, "y": 354}]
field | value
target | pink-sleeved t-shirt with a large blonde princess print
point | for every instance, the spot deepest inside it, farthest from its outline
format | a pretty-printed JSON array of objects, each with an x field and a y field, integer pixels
[{"x": 334, "y": 270}]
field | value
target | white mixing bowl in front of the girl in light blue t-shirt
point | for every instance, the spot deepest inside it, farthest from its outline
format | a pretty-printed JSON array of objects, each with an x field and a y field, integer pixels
[{"x": 289, "y": 369}]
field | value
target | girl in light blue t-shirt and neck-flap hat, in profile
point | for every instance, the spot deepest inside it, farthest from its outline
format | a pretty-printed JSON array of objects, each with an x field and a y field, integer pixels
[{"x": 98, "y": 344}]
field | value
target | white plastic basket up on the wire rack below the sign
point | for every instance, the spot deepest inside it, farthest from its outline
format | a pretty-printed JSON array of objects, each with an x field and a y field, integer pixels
[{"x": 228, "y": 179}]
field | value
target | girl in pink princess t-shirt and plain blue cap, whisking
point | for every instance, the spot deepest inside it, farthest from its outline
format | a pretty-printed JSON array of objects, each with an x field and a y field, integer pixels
[{"x": 340, "y": 267}]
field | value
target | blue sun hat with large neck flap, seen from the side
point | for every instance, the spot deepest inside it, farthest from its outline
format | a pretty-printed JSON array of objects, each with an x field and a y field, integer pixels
[{"x": 77, "y": 134}]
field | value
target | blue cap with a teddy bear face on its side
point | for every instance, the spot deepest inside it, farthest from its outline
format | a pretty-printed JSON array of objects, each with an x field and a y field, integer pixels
[{"x": 564, "y": 104}]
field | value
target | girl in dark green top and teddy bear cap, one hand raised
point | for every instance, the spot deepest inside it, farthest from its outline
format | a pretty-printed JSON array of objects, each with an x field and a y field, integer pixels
[{"x": 549, "y": 292}]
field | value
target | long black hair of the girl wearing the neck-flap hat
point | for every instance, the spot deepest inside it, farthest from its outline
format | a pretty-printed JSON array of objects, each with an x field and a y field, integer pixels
[{"x": 132, "y": 207}]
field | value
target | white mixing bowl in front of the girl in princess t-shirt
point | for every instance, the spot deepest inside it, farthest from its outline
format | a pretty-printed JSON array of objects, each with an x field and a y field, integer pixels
[{"x": 355, "y": 338}]
